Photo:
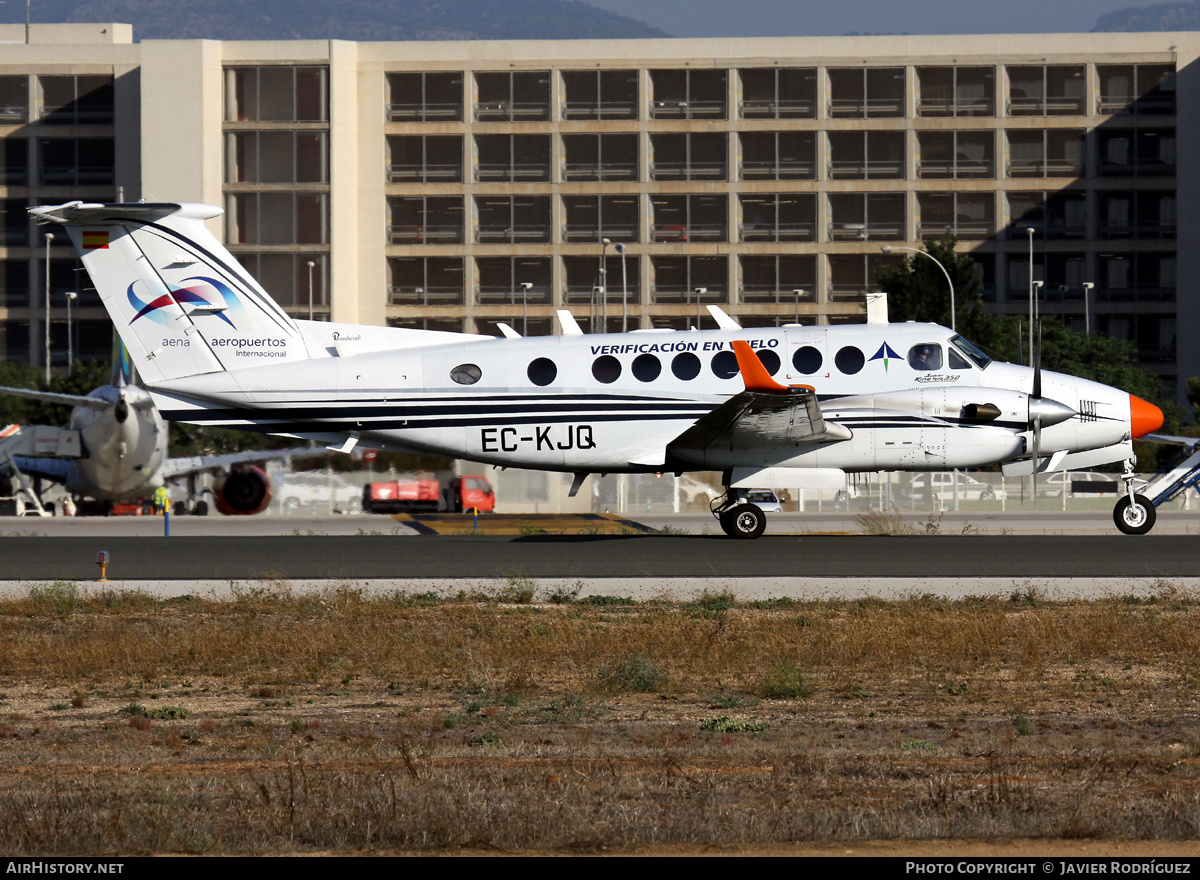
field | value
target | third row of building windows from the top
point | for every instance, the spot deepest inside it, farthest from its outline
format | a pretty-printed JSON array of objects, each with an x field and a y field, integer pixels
[{"x": 705, "y": 218}]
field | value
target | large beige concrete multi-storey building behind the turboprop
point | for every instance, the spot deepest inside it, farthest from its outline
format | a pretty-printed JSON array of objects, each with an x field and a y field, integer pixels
[{"x": 454, "y": 185}]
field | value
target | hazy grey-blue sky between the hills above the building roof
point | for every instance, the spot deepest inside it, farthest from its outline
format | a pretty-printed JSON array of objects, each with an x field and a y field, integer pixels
[{"x": 759, "y": 19}]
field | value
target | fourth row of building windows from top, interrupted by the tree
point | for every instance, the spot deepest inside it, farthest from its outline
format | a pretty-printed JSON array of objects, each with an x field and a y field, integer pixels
[{"x": 781, "y": 280}]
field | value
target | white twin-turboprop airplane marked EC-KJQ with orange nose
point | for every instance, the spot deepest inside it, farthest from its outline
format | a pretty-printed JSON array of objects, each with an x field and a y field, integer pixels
[{"x": 775, "y": 408}]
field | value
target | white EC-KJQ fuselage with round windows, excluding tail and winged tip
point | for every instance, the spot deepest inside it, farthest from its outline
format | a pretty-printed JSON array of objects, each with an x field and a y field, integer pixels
[{"x": 615, "y": 403}]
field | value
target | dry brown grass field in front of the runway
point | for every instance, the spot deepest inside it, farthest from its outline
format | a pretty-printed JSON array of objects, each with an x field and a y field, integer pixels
[{"x": 501, "y": 721}]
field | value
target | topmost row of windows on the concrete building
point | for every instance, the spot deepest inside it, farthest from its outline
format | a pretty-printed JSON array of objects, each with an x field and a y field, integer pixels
[{"x": 773, "y": 93}]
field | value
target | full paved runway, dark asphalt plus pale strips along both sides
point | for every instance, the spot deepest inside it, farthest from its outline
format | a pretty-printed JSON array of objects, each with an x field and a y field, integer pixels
[{"x": 1067, "y": 555}]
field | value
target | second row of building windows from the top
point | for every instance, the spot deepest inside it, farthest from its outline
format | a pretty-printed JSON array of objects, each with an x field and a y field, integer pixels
[{"x": 853, "y": 155}]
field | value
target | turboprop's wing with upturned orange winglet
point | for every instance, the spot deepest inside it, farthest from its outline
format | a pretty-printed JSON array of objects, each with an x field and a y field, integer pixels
[{"x": 765, "y": 416}]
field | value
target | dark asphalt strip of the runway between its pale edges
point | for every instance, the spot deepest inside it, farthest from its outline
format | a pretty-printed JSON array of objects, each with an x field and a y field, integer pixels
[{"x": 601, "y": 556}]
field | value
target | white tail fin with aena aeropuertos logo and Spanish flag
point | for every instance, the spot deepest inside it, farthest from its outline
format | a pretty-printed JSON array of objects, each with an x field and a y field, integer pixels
[{"x": 182, "y": 304}]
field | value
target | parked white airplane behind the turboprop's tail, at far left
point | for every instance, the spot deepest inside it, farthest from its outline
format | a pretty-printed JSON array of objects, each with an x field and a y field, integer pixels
[{"x": 124, "y": 442}]
